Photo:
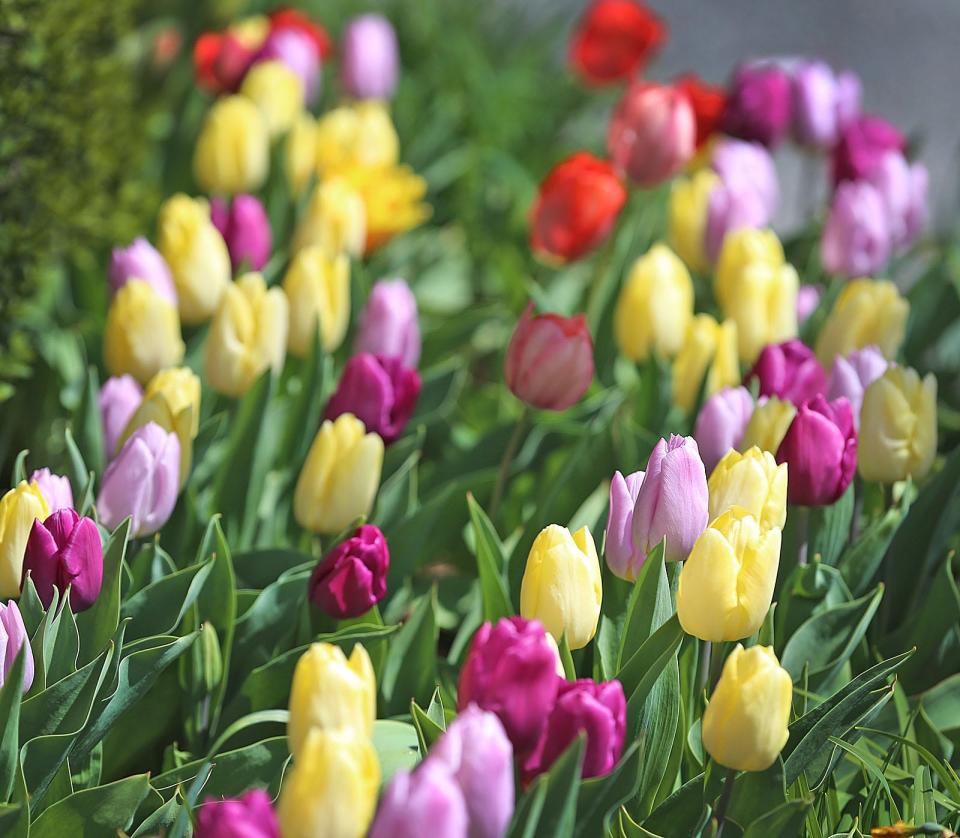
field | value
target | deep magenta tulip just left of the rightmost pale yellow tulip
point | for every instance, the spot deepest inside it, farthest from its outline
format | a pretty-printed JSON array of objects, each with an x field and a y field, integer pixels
[{"x": 820, "y": 448}]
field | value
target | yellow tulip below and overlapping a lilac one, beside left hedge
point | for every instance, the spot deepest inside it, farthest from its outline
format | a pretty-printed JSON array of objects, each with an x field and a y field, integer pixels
[{"x": 142, "y": 333}]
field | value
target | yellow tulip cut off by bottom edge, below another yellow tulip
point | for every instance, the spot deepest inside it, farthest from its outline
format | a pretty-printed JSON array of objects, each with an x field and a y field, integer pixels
[{"x": 331, "y": 791}]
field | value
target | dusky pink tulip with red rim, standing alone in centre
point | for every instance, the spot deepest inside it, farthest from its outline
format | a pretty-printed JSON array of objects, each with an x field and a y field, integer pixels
[{"x": 549, "y": 362}]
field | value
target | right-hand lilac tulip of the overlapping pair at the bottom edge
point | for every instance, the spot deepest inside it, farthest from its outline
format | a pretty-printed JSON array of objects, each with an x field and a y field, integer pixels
[{"x": 478, "y": 754}]
